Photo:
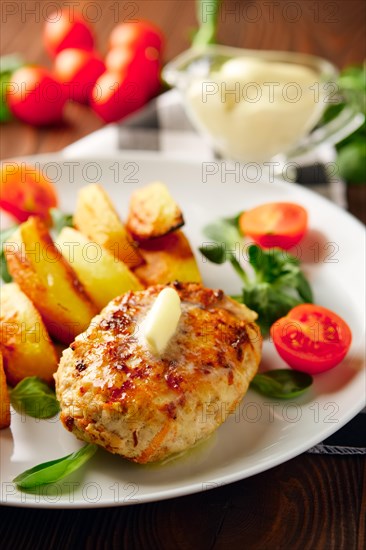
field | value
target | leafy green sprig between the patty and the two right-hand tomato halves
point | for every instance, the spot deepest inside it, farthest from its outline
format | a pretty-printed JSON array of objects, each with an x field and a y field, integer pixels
[{"x": 277, "y": 283}]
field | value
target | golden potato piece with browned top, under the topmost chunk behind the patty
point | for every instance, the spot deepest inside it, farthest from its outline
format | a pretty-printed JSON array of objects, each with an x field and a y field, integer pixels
[{"x": 167, "y": 259}]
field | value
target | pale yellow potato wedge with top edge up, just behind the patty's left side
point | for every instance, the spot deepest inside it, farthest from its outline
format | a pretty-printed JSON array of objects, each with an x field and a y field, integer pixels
[{"x": 103, "y": 276}]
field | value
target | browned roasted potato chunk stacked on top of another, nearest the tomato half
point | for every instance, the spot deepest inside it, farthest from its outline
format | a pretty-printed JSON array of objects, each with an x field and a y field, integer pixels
[{"x": 153, "y": 212}]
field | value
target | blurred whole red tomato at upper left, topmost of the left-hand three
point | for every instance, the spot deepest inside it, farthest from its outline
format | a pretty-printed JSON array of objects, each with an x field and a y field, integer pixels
[{"x": 67, "y": 30}]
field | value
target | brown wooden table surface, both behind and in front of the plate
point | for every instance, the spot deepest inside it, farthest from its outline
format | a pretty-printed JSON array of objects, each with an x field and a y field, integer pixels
[{"x": 309, "y": 502}]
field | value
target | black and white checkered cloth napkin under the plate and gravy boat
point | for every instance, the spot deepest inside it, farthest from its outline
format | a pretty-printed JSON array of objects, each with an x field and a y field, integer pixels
[{"x": 163, "y": 127}]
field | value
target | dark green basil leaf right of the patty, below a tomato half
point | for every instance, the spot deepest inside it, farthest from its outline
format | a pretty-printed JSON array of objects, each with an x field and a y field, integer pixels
[{"x": 281, "y": 383}]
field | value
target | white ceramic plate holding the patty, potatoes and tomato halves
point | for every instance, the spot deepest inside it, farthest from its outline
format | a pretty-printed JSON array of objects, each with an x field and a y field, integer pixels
[{"x": 262, "y": 433}]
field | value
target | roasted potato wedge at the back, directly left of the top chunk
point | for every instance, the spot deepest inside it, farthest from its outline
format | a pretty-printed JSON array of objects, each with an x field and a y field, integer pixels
[{"x": 96, "y": 217}]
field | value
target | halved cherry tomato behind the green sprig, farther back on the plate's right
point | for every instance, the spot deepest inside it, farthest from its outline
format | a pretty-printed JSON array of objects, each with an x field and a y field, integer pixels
[{"x": 281, "y": 224}]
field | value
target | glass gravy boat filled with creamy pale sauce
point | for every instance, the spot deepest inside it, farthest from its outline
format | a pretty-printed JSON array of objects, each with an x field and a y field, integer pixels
[{"x": 257, "y": 106}]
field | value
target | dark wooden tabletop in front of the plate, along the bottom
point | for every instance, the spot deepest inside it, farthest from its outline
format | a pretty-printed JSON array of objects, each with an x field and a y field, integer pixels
[{"x": 309, "y": 502}]
